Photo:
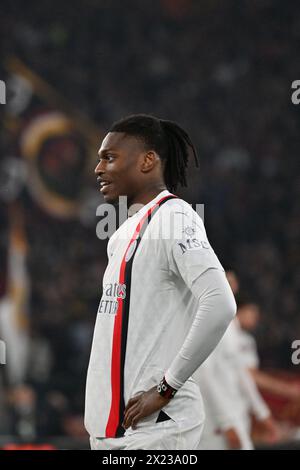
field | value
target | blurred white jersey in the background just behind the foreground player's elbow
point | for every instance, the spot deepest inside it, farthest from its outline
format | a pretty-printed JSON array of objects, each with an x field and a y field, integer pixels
[{"x": 229, "y": 392}]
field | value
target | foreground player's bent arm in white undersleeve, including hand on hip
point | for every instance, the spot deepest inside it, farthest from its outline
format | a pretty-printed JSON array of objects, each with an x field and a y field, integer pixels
[{"x": 216, "y": 309}]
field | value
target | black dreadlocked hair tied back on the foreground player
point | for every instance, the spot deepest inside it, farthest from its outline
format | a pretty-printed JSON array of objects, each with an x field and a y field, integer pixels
[{"x": 167, "y": 139}]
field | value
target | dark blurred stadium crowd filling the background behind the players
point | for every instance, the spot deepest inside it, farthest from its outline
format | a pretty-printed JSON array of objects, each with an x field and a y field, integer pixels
[{"x": 223, "y": 70}]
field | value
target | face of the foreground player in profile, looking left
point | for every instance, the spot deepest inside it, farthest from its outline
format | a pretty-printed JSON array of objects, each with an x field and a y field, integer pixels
[{"x": 118, "y": 166}]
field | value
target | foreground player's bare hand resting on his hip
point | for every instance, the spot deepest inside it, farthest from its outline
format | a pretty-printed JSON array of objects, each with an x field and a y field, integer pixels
[{"x": 141, "y": 406}]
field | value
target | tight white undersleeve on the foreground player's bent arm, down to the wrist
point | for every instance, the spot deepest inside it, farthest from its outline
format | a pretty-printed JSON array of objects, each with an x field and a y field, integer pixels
[{"x": 216, "y": 309}]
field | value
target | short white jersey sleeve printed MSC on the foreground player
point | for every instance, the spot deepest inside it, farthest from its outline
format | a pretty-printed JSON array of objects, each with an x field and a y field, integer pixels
[{"x": 190, "y": 253}]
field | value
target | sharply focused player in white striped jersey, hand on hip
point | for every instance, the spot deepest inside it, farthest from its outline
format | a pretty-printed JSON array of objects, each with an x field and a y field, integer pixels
[{"x": 165, "y": 299}]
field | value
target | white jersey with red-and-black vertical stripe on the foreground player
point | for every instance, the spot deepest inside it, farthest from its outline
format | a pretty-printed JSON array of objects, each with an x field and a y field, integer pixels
[{"x": 146, "y": 311}]
